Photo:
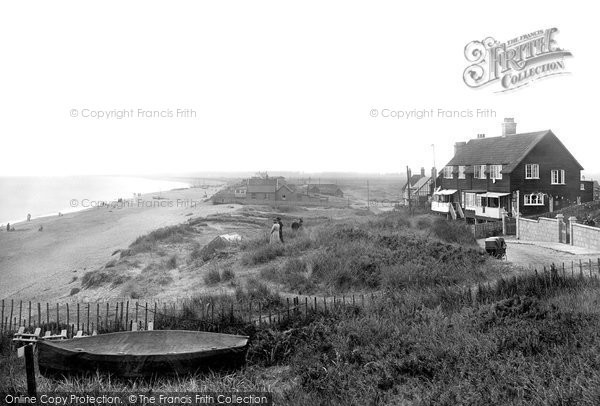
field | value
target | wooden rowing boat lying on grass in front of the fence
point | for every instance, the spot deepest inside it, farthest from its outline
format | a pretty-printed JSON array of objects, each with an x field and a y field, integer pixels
[{"x": 143, "y": 353}]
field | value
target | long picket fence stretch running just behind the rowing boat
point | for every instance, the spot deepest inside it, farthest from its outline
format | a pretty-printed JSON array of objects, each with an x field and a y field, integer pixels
[{"x": 201, "y": 314}]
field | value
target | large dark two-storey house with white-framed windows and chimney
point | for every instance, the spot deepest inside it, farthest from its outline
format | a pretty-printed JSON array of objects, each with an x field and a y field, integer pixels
[{"x": 529, "y": 173}]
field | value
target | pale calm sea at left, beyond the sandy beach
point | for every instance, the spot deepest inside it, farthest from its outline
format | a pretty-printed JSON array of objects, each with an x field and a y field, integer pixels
[{"x": 47, "y": 196}]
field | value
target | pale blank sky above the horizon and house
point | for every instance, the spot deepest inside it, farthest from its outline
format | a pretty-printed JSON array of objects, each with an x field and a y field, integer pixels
[{"x": 272, "y": 85}]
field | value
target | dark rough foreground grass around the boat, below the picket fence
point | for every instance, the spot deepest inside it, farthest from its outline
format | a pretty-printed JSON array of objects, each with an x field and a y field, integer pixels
[{"x": 521, "y": 342}]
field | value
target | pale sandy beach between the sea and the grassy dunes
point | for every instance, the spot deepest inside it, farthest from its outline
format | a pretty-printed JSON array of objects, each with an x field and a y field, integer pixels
[{"x": 40, "y": 264}]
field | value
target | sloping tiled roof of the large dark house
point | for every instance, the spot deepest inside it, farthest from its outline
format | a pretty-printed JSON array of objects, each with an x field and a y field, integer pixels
[{"x": 508, "y": 151}]
